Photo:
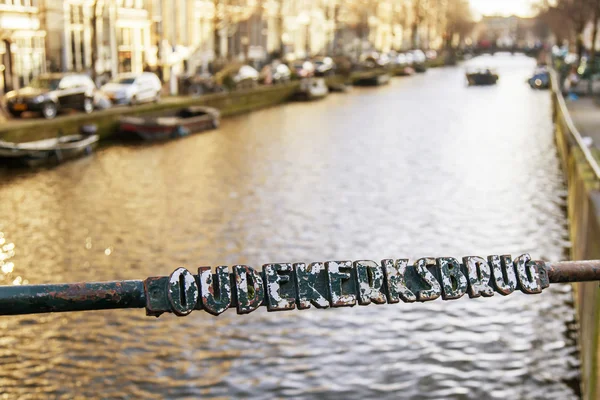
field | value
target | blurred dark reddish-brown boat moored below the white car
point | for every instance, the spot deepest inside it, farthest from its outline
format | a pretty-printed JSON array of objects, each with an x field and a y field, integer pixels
[{"x": 169, "y": 126}]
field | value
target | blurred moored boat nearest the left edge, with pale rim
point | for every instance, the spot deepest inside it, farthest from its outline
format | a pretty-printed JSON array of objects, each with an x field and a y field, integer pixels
[{"x": 50, "y": 151}]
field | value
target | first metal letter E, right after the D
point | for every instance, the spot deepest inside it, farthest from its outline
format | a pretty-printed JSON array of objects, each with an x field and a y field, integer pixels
[{"x": 281, "y": 292}]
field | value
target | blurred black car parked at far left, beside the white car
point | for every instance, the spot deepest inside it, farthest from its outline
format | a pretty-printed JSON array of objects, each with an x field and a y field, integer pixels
[{"x": 49, "y": 93}]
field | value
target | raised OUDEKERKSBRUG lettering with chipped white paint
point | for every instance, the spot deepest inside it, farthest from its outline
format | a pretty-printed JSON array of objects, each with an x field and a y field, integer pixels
[{"x": 342, "y": 283}]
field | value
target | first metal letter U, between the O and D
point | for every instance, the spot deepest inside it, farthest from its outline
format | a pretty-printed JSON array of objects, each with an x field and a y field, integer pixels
[{"x": 215, "y": 296}]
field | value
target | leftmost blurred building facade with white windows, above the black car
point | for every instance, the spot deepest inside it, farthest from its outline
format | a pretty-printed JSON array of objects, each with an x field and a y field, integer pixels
[{"x": 22, "y": 43}]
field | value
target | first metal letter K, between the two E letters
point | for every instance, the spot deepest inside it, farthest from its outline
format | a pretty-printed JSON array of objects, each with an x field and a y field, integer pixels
[{"x": 311, "y": 281}]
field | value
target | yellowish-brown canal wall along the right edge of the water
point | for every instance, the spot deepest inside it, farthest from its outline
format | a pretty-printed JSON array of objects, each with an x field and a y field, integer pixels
[{"x": 582, "y": 176}]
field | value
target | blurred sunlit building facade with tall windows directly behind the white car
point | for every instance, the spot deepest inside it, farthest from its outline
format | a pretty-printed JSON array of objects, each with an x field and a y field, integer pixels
[{"x": 101, "y": 37}]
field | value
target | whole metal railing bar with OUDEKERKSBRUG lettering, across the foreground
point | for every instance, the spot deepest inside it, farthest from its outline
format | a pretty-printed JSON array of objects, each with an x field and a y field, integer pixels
[{"x": 288, "y": 286}]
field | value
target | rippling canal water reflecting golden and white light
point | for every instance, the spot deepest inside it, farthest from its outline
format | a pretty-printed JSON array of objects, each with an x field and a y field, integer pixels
[{"x": 425, "y": 166}]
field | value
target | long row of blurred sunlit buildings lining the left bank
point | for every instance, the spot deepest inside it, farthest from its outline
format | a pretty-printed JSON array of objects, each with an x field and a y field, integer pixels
[{"x": 173, "y": 37}]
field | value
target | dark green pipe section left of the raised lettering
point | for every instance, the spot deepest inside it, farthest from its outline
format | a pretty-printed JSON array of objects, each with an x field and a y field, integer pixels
[{"x": 31, "y": 299}]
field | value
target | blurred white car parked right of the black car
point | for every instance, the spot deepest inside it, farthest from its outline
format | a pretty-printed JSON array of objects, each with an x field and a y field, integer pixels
[{"x": 133, "y": 88}]
